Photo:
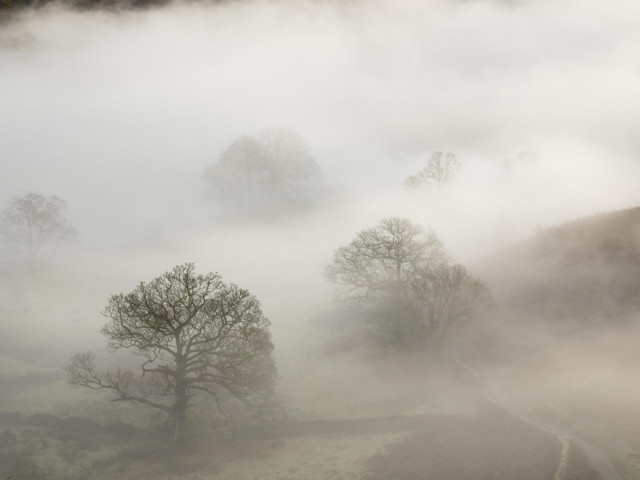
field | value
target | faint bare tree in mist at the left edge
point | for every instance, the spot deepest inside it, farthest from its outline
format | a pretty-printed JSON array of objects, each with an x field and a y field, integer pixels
[{"x": 33, "y": 224}]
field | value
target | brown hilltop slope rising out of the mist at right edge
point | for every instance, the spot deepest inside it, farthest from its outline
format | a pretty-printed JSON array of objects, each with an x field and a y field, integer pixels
[{"x": 587, "y": 270}]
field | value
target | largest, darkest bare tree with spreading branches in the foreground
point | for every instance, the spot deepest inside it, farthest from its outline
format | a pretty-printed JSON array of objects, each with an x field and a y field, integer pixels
[{"x": 195, "y": 334}]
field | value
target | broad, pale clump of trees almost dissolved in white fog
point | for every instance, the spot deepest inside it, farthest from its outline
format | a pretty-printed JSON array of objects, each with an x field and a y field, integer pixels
[{"x": 274, "y": 167}]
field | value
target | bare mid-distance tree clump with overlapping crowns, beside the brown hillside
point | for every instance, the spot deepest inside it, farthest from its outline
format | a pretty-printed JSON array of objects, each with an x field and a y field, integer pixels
[{"x": 402, "y": 275}]
